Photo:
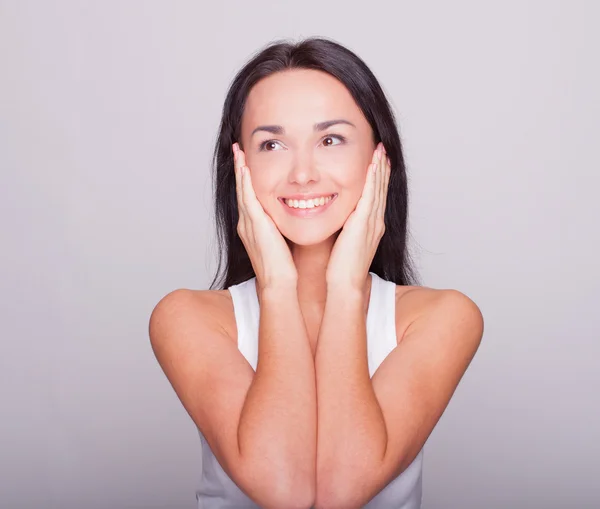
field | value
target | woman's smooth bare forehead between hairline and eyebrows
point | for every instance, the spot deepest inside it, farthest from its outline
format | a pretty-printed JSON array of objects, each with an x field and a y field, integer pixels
[{"x": 299, "y": 98}]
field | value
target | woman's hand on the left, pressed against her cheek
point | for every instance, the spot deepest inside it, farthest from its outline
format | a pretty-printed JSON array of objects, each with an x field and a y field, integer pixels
[{"x": 268, "y": 251}]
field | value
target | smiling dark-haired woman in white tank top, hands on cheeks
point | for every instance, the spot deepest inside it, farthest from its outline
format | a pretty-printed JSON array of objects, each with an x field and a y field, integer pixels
[{"x": 319, "y": 369}]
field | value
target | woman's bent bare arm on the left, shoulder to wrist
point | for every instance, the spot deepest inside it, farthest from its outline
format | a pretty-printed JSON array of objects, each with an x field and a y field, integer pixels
[{"x": 261, "y": 425}]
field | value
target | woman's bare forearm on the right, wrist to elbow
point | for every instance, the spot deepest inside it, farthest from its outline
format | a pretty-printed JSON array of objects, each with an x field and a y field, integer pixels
[{"x": 351, "y": 429}]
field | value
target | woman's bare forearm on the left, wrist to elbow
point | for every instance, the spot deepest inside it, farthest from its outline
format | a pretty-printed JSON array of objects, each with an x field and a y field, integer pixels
[{"x": 278, "y": 423}]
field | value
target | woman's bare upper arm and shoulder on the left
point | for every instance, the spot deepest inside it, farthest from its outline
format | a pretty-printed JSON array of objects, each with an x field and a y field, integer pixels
[{"x": 195, "y": 342}]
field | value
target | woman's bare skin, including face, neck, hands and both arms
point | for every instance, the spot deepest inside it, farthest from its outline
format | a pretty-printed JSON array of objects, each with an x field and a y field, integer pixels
[{"x": 364, "y": 431}]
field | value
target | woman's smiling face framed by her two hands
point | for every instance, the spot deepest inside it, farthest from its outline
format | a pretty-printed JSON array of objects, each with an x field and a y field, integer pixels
[{"x": 290, "y": 155}]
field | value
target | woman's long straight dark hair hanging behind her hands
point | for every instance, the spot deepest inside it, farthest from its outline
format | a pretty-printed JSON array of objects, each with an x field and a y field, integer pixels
[{"x": 392, "y": 260}]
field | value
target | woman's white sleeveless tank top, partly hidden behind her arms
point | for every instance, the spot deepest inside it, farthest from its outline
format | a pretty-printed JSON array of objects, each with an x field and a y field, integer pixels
[{"x": 218, "y": 491}]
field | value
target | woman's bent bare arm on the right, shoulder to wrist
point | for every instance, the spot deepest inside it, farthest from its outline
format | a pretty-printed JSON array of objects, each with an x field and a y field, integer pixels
[{"x": 369, "y": 431}]
